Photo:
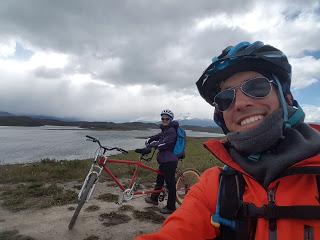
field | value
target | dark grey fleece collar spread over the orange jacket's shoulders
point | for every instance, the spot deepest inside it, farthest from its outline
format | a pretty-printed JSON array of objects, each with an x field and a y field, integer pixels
[{"x": 299, "y": 143}]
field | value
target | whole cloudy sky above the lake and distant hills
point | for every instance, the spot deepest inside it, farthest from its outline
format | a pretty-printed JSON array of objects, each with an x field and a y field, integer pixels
[{"x": 127, "y": 60}]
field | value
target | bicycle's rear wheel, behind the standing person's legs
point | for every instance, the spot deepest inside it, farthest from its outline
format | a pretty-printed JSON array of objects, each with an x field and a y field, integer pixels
[{"x": 185, "y": 180}]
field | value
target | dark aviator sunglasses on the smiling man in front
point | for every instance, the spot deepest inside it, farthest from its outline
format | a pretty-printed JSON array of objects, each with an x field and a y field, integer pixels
[{"x": 257, "y": 88}]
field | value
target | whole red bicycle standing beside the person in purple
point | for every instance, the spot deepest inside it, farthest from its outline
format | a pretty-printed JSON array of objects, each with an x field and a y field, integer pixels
[{"x": 100, "y": 163}]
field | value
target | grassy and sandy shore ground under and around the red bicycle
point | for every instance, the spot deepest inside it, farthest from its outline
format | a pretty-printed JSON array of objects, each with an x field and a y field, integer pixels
[{"x": 37, "y": 200}]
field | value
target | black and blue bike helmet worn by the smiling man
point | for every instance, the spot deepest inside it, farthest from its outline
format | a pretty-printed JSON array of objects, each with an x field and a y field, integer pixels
[{"x": 258, "y": 57}]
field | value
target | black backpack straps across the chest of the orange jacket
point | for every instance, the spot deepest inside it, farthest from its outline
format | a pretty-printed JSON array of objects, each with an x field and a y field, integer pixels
[{"x": 237, "y": 220}]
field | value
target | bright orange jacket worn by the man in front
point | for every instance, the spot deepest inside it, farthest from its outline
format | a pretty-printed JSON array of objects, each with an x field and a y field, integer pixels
[{"x": 192, "y": 219}]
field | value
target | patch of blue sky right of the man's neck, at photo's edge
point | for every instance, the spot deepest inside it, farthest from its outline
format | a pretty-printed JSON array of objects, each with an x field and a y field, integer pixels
[{"x": 309, "y": 95}]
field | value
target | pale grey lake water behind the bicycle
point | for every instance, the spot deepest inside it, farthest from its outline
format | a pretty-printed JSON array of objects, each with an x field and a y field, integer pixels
[{"x": 30, "y": 144}]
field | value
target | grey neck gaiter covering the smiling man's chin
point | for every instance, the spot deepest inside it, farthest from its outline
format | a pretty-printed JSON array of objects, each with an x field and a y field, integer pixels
[{"x": 261, "y": 138}]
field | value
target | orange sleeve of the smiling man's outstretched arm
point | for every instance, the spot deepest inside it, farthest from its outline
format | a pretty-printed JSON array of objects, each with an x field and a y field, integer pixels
[{"x": 193, "y": 219}]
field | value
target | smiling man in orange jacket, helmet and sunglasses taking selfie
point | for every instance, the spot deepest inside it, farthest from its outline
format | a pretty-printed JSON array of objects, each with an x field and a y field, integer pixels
[{"x": 269, "y": 187}]
